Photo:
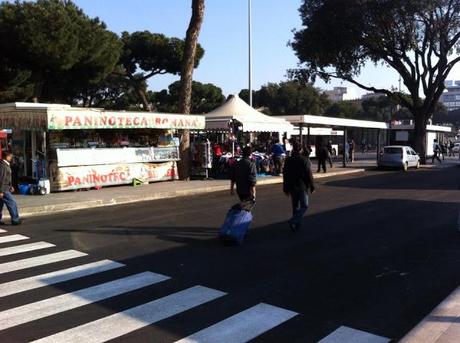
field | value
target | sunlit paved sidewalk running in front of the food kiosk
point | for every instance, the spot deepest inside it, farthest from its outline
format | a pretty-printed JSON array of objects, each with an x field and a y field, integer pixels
[{"x": 31, "y": 205}]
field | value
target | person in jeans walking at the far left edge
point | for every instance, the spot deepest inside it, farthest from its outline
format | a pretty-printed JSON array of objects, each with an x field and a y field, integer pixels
[{"x": 6, "y": 189}]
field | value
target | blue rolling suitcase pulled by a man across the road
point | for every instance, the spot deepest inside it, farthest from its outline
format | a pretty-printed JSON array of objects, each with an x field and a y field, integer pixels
[{"x": 236, "y": 224}]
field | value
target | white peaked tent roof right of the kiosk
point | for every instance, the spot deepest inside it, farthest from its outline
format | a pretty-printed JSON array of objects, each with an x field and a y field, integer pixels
[{"x": 250, "y": 119}]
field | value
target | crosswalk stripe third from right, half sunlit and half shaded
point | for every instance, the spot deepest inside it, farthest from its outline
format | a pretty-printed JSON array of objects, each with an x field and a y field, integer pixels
[{"x": 137, "y": 317}]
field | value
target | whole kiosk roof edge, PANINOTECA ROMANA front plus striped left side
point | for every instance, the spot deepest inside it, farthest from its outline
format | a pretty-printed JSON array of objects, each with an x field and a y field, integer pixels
[{"x": 64, "y": 117}]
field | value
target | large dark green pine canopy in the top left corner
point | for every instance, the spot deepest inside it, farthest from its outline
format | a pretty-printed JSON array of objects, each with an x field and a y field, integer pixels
[{"x": 57, "y": 45}]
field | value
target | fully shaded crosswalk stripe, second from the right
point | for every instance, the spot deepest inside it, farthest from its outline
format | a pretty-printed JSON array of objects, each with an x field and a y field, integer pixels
[{"x": 242, "y": 327}]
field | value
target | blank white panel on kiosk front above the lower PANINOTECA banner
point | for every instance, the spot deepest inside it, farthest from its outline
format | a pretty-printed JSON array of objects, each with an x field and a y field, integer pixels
[{"x": 89, "y": 157}]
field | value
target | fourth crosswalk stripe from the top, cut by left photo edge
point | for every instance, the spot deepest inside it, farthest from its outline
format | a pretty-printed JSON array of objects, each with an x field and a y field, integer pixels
[{"x": 67, "y": 274}]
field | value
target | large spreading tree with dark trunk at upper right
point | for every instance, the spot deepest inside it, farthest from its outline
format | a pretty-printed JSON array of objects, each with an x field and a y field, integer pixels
[{"x": 419, "y": 39}]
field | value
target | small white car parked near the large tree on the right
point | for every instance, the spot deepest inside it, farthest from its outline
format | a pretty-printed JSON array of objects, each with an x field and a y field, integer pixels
[{"x": 399, "y": 156}]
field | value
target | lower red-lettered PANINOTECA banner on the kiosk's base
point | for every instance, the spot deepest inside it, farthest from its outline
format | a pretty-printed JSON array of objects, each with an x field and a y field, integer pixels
[{"x": 68, "y": 178}]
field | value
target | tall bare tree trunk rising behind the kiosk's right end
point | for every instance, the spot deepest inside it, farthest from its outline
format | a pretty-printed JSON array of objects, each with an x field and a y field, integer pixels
[{"x": 188, "y": 64}]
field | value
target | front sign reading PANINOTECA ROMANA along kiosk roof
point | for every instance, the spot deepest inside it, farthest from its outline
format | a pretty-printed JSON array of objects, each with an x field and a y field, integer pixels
[{"x": 75, "y": 120}]
